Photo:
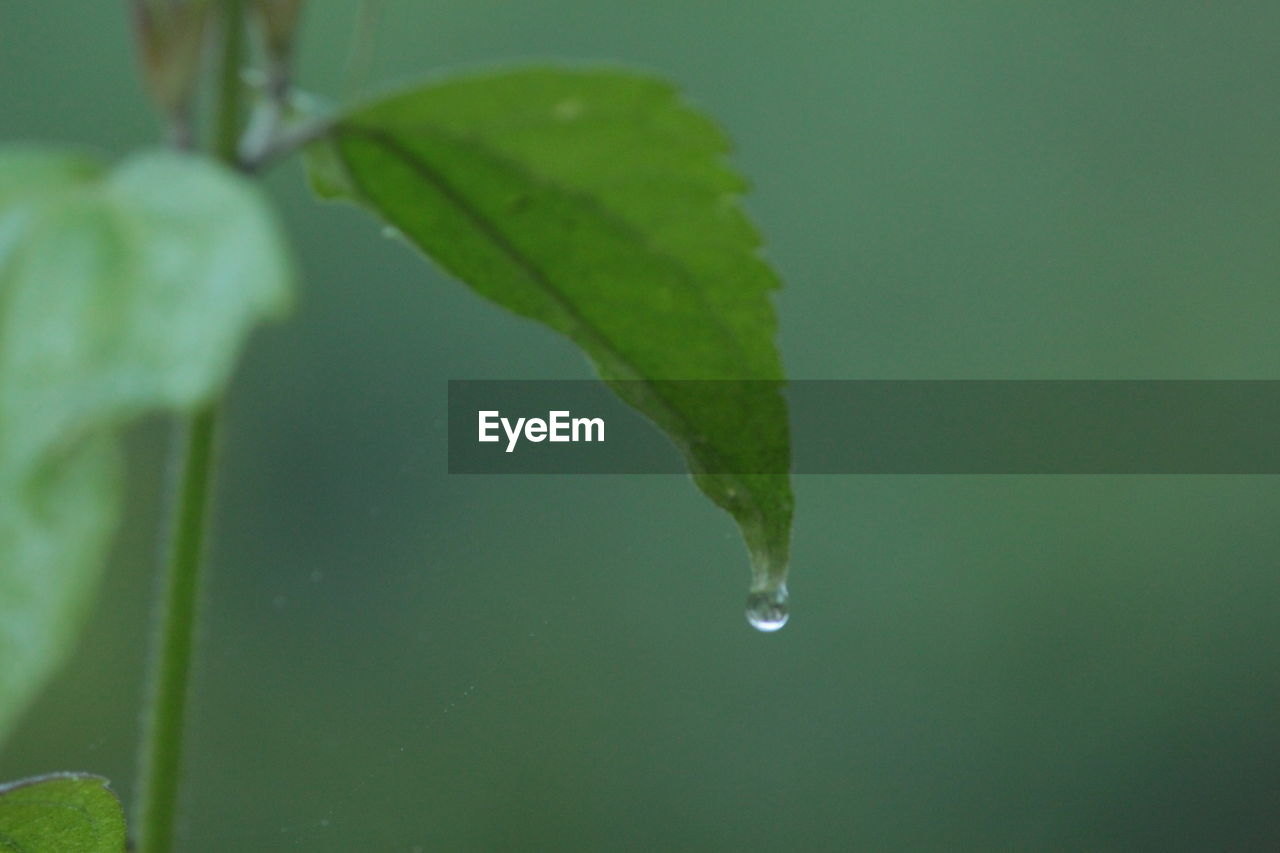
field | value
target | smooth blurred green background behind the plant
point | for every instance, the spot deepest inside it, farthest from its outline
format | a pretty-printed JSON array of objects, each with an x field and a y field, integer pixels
[{"x": 397, "y": 660}]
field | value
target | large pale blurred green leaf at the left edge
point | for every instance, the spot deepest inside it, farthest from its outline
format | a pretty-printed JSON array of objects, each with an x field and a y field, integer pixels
[{"x": 121, "y": 293}]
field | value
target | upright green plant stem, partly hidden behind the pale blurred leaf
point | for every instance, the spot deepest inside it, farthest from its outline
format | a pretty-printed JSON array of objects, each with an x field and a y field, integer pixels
[{"x": 179, "y": 605}]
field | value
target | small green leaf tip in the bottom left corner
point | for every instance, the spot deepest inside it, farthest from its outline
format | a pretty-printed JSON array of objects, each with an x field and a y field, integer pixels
[{"x": 61, "y": 814}]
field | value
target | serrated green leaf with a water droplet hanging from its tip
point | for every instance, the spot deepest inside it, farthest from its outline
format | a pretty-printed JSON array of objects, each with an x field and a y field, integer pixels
[{"x": 598, "y": 203}]
